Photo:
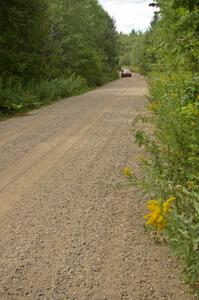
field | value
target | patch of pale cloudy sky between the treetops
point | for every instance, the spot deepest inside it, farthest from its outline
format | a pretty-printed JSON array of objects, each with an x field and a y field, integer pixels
[{"x": 129, "y": 14}]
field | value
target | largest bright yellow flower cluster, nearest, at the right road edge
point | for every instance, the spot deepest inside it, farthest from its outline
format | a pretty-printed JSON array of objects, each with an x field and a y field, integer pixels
[{"x": 158, "y": 214}]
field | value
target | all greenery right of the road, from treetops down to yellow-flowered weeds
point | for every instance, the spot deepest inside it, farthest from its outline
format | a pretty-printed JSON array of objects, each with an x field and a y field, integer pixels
[{"x": 168, "y": 54}]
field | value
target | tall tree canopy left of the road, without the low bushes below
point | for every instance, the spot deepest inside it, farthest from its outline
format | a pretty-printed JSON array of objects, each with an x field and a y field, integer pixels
[{"x": 46, "y": 39}]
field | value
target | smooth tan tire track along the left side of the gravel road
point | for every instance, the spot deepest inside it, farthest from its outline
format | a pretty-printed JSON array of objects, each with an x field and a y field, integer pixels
[{"x": 20, "y": 178}]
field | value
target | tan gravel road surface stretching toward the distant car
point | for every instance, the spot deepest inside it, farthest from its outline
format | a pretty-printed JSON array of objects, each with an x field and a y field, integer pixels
[{"x": 70, "y": 229}]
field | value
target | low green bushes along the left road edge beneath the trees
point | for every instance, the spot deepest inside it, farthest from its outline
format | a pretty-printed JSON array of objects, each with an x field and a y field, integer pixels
[{"x": 15, "y": 97}]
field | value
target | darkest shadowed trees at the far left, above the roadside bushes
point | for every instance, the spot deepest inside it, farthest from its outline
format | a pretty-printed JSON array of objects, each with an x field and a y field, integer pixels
[{"x": 23, "y": 30}]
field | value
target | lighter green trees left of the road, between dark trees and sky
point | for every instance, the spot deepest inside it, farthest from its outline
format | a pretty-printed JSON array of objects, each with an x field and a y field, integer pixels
[{"x": 86, "y": 35}]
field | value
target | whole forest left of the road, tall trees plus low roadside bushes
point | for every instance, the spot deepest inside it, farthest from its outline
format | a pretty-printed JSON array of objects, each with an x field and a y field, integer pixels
[{"x": 53, "y": 49}]
